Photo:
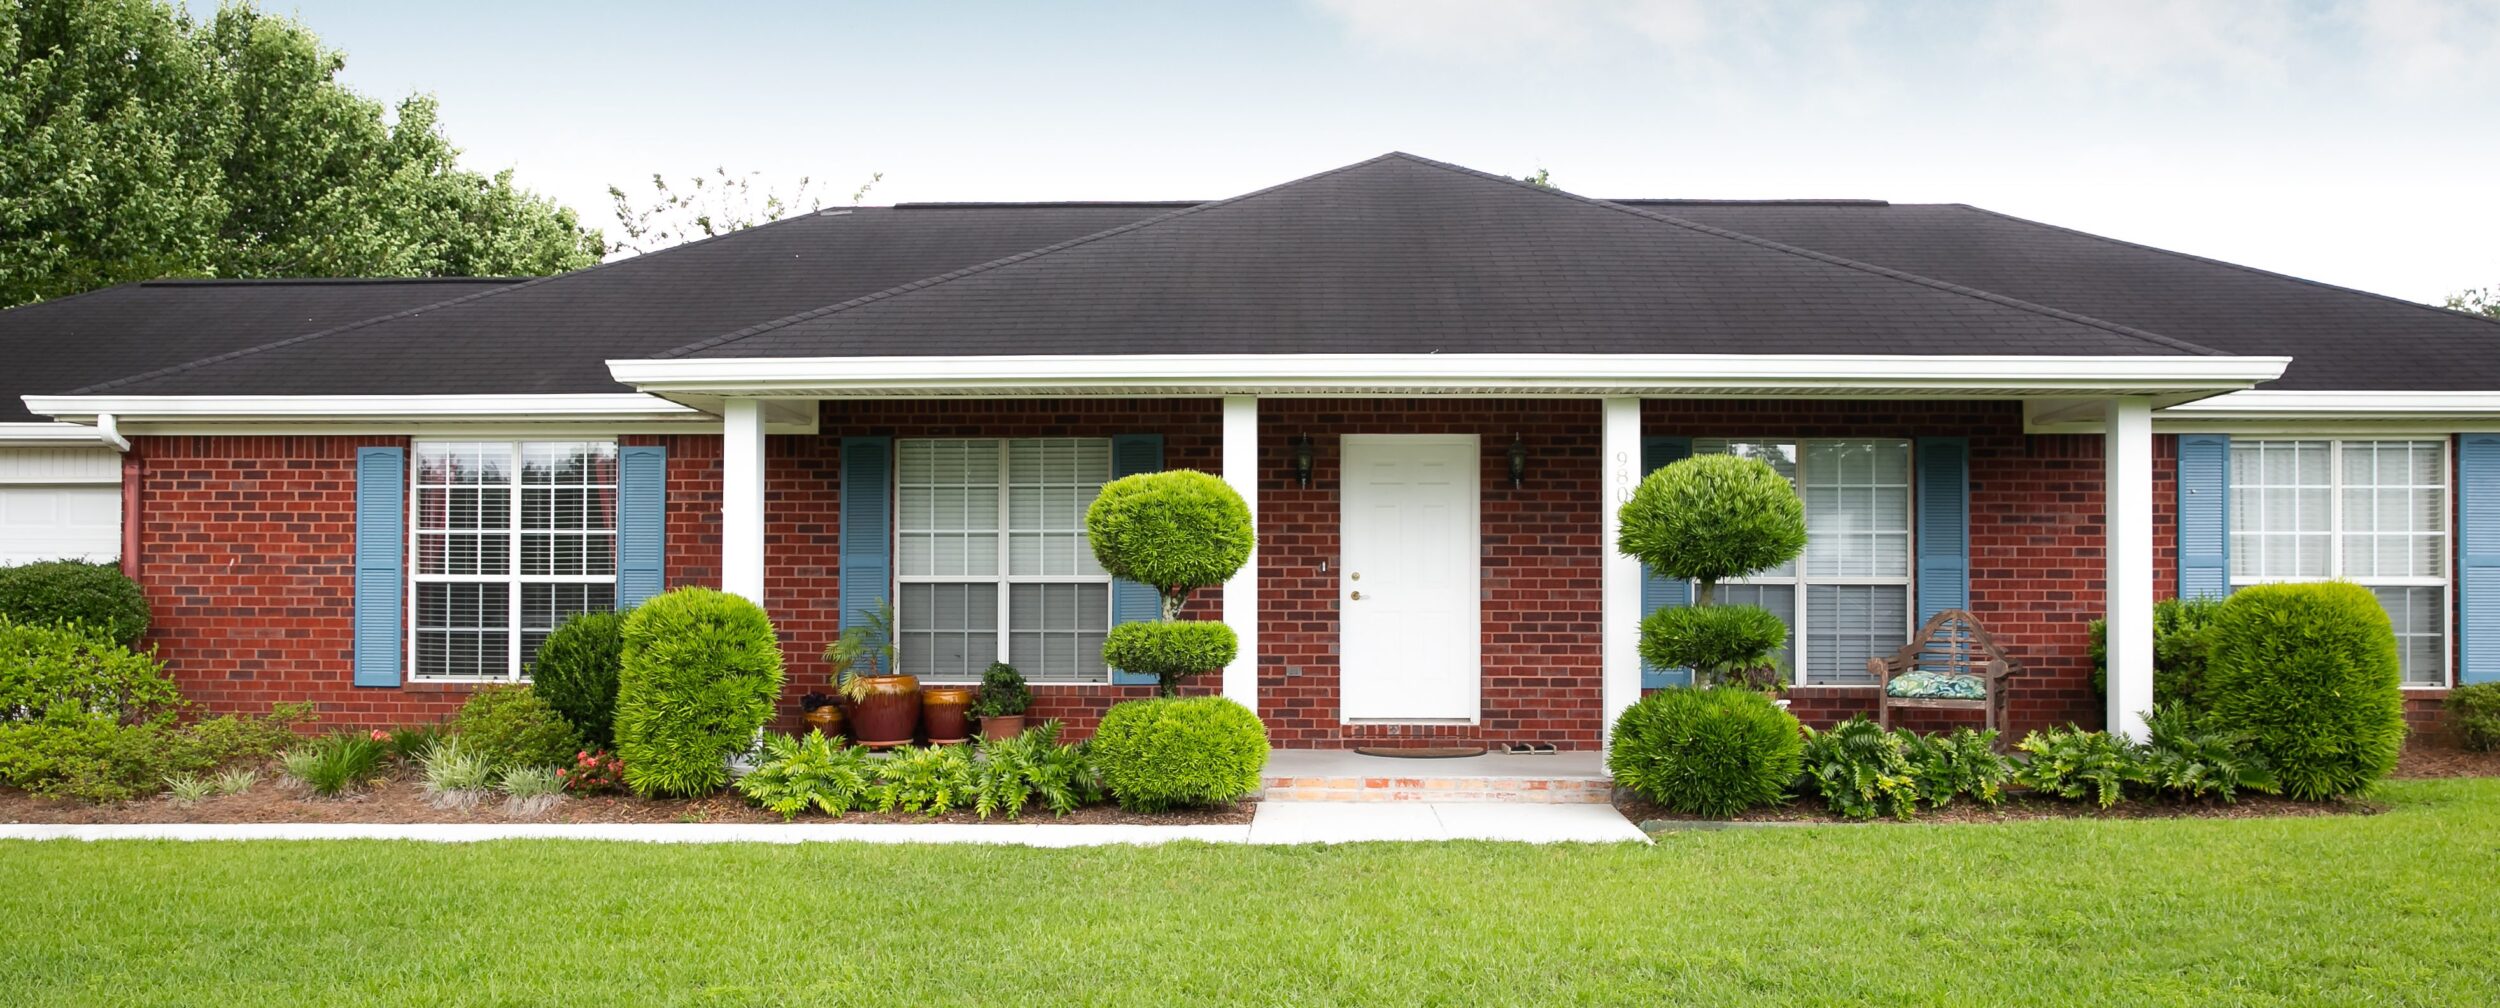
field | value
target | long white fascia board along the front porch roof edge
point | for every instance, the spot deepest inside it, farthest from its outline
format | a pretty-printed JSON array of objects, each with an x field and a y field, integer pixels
[{"x": 1446, "y": 374}]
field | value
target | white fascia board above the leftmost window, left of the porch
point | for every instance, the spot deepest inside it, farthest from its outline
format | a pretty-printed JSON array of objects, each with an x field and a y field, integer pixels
[{"x": 364, "y": 409}]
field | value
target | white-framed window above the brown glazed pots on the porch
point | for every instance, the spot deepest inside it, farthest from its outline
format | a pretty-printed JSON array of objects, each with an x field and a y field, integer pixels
[{"x": 991, "y": 559}]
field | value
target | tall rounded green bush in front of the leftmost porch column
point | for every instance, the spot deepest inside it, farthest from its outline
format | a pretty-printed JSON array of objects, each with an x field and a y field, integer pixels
[{"x": 696, "y": 682}]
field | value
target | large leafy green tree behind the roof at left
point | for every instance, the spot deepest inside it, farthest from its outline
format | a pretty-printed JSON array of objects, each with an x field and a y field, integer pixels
[{"x": 141, "y": 144}]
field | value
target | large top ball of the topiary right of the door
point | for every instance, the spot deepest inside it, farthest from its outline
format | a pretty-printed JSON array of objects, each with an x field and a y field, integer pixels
[{"x": 1711, "y": 519}]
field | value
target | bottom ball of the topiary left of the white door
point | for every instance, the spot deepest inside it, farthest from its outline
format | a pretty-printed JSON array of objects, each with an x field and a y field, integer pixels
[{"x": 1179, "y": 752}]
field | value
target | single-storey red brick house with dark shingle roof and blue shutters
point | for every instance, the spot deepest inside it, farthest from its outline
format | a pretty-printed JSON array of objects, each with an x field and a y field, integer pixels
[{"x": 1431, "y": 384}]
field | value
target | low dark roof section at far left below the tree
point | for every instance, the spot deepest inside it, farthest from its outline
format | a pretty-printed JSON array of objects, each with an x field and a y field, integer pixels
[{"x": 59, "y": 346}]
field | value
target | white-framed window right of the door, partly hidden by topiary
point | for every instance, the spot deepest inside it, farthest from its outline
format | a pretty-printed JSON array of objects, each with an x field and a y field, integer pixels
[{"x": 1849, "y": 597}]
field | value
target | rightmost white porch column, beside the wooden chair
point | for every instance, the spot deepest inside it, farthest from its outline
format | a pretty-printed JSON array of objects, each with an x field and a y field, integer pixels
[{"x": 2129, "y": 542}]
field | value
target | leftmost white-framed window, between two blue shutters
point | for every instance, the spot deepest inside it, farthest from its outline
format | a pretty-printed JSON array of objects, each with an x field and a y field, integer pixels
[{"x": 509, "y": 542}]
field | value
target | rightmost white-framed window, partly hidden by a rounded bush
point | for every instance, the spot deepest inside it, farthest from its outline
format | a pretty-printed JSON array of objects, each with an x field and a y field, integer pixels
[{"x": 2366, "y": 512}]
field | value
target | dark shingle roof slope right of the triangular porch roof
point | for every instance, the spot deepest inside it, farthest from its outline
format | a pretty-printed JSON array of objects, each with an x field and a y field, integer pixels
[{"x": 2339, "y": 339}]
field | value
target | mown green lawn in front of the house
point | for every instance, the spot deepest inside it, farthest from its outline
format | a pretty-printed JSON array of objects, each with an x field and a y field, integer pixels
[{"x": 2389, "y": 909}]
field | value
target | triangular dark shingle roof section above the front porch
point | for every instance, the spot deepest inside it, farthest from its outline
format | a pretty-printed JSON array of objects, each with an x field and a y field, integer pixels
[{"x": 1414, "y": 256}]
